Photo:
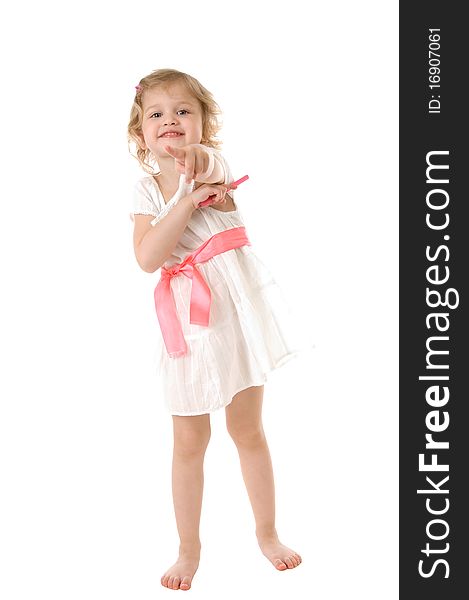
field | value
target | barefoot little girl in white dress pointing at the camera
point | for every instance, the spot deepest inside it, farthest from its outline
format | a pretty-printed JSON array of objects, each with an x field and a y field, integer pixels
[{"x": 224, "y": 323}]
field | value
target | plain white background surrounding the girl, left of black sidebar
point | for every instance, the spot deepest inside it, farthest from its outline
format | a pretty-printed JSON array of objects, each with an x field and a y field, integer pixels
[{"x": 309, "y": 98}]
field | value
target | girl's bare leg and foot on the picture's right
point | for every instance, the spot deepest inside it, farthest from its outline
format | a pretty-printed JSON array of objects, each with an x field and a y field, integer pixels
[{"x": 244, "y": 424}]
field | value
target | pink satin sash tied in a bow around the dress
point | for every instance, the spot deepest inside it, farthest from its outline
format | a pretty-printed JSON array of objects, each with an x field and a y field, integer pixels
[{"x": 200, "y": 292}]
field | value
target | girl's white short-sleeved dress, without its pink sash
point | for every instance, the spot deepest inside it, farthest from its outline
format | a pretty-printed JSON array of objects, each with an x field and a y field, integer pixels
[{"x": 252, "y": 329}]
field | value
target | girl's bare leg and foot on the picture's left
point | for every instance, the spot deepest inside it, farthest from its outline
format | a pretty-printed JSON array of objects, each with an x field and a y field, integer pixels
[{"x": 191, "y": 437}]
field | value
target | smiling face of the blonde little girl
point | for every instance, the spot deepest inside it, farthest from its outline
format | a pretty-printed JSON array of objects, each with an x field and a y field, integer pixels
[{"x": 171, "y": 109}]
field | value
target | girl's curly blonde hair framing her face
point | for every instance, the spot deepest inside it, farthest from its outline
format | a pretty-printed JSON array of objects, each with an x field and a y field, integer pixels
[{"x": 165, "y": 77}]
